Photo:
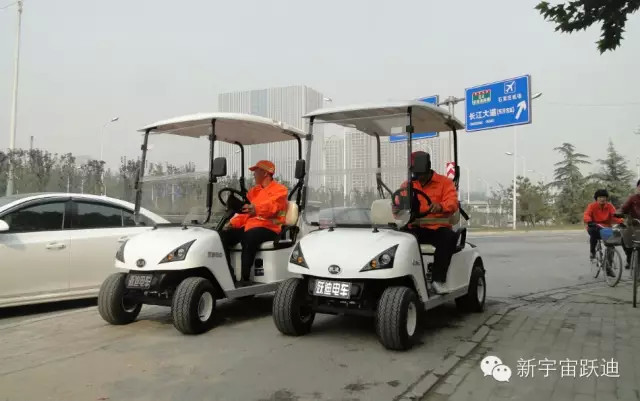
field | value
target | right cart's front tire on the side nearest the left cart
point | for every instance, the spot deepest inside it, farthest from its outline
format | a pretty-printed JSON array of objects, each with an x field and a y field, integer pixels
[{"x": 292, "y": 314}]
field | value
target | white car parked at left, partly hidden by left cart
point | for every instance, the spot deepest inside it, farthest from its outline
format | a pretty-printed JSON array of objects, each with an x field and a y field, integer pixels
[{"x": 61, "y": 246}]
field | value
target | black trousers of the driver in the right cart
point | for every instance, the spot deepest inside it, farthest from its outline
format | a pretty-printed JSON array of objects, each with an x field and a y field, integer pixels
[{"x": 444, "y": 239}]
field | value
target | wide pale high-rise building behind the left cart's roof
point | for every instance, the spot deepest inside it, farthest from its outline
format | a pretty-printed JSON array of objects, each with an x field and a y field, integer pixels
[{"x": 286, "y": 104}]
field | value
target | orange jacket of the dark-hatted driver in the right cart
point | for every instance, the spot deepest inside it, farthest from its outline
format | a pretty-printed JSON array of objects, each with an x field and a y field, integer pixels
[{"x": 440, "y": 190}]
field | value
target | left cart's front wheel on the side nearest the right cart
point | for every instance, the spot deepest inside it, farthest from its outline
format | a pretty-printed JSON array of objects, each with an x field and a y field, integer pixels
[{"x": 186, "y": 304}]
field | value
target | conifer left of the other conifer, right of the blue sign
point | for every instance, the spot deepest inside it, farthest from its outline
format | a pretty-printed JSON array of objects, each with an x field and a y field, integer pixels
[{"x": 570, "y": 182}]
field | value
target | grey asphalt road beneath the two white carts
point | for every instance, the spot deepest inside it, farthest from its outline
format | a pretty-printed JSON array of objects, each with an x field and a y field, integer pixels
[{"x": 74, "y": 355}]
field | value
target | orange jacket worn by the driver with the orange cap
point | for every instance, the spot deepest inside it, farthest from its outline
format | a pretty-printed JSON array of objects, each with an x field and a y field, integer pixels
[{"x": 271, "y": 208}]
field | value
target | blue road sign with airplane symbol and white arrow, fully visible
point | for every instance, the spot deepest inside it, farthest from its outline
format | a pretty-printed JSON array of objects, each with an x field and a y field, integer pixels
[{"x": 499, "y": 104}]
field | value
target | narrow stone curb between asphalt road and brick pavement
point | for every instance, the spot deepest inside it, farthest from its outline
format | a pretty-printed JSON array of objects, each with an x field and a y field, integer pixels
[{"x": 431, "y": 378}]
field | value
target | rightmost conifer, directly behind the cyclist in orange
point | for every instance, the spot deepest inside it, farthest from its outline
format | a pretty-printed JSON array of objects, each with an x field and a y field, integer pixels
[{"x": 614, "y": 175}]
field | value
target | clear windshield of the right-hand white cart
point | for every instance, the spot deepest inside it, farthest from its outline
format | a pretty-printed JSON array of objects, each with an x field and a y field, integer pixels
[{"x": 342, "y": 194}]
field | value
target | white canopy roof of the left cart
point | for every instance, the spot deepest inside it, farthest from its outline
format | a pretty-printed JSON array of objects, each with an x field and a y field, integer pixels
[{"x": 247, "y": 129}]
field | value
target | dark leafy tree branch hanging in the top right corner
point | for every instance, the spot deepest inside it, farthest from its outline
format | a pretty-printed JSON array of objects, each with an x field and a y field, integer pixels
[{"x": 579, "y": 15}]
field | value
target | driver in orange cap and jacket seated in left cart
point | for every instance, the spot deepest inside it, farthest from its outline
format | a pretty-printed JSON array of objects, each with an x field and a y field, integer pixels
[{"x": 261, "y": 220}]
